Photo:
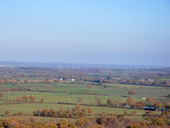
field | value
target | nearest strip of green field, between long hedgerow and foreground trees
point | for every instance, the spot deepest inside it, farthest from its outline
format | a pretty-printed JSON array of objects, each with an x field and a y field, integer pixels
[{"x": 29, "y": 108}]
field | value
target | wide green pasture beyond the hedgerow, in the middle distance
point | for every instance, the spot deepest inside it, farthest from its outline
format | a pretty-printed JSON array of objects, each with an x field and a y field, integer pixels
[{"x": 71, "y": 92}]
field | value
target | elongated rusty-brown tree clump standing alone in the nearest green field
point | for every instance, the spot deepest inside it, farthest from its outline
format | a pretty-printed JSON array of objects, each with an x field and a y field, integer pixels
[{"x": 76, "y": 112}]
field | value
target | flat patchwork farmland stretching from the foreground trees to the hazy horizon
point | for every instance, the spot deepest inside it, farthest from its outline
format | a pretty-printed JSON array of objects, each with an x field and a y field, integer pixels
[{"x": 25, "y": 90}]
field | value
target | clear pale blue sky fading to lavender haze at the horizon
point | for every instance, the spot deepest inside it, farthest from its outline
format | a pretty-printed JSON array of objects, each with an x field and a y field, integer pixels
[{"x": 125, "y": 32}]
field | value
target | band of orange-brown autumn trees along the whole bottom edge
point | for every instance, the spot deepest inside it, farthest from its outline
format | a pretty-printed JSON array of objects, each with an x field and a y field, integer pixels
[{"x": 102, "y": 121}]
